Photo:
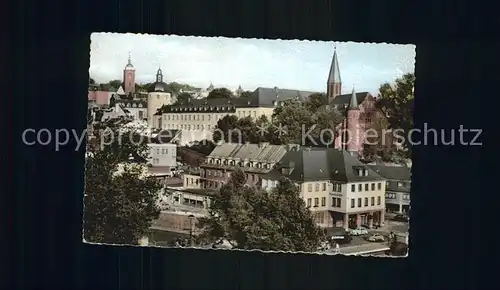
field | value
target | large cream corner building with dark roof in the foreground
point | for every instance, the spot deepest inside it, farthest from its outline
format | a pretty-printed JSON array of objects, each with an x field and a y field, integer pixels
[{"x": 339, "y": 190}]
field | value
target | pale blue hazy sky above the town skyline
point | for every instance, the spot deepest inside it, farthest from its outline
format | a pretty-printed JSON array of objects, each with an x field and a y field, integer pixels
[{"x": 251, "y": 63}]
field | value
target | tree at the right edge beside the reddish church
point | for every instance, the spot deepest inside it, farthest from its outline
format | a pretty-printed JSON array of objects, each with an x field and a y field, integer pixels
[{"x": 396, "y": 102}]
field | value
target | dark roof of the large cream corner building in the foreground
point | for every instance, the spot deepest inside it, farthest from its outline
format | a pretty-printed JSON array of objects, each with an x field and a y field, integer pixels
[{"x": 311, "y": 164}]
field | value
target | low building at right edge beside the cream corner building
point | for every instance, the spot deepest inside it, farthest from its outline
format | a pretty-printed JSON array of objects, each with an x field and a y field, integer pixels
[{"x": 398, "y": 187}]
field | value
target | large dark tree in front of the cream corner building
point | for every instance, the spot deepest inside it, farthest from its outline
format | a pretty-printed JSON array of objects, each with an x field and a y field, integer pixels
[{"x": 255, "y": 219}]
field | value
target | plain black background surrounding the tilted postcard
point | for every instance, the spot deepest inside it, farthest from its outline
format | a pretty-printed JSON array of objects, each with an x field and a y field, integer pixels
[{"x": 46, "y": 58}]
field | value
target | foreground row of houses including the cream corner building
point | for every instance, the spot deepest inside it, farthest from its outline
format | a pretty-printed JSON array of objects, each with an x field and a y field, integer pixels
[{"x": 340, "y": 190}]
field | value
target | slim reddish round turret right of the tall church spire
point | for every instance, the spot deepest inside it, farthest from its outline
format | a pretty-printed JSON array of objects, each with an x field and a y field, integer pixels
[{"x": 354, "y": 131}]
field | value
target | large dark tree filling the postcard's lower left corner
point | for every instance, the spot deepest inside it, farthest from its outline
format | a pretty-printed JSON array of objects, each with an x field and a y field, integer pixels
[{"x": 120, "y": 198}]
